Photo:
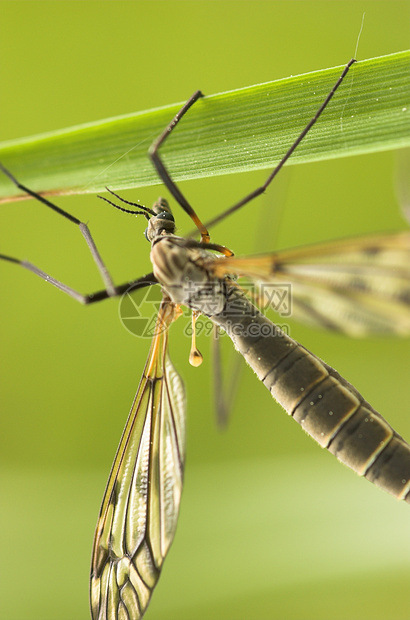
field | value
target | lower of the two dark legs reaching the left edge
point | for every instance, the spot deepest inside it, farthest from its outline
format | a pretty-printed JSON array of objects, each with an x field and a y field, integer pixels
[{"x": 142, "y": 282}]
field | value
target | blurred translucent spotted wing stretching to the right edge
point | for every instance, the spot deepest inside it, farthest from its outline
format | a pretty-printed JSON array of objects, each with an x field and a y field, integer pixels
[{"x": 358, "y": 286}]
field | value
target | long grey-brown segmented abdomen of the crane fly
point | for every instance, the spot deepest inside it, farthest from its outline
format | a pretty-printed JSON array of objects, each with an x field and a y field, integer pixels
[{"x": 329, "y": 408}]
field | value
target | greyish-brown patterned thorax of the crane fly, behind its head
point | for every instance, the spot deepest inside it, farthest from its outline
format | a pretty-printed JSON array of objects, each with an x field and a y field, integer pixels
[{"x": 183, "y": 274}]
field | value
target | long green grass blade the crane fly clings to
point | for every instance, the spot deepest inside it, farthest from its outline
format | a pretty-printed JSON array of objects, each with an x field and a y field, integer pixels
[{"x": 246, "y": 129}]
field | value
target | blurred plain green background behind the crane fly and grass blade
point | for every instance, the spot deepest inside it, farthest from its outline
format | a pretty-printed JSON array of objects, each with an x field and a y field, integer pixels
[{"x": 270, "y": 526}]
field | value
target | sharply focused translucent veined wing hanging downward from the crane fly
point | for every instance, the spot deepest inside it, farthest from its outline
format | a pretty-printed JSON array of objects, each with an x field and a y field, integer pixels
[{"x": 140, "y": 508}]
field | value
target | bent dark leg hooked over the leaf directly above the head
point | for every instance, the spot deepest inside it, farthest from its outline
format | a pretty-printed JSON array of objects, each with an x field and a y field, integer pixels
[{"x": 164, "y": 174}]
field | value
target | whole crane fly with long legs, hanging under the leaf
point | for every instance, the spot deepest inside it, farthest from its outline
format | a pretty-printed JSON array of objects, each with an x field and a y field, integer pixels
[{"x": 358, "y": 286}]
